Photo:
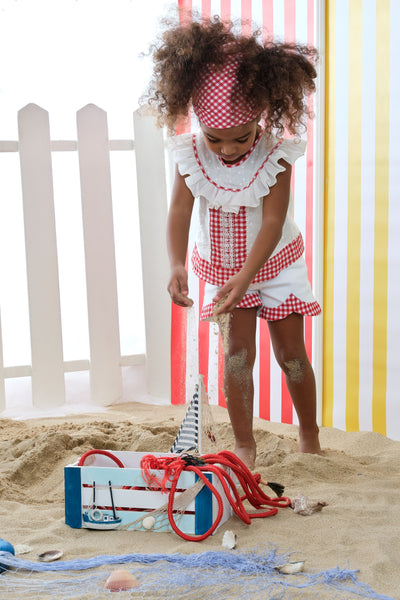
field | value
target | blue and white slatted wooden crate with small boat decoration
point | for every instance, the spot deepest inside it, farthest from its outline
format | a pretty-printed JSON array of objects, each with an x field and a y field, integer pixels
[{"x": 131, "y": 497}]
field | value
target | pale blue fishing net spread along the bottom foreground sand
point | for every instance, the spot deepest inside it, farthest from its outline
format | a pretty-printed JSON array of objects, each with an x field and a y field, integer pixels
[{"x": 210, "y": 575}]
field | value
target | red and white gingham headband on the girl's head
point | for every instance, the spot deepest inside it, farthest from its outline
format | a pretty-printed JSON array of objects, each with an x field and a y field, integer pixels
[{"x": 218, "y": 101}]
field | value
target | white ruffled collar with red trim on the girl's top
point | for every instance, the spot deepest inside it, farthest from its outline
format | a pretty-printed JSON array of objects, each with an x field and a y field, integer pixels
[{"x": 231, "y": 186}]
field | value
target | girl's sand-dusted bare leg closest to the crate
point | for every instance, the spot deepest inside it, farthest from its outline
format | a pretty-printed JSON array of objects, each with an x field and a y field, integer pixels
[{"x": 238, "y": 381}]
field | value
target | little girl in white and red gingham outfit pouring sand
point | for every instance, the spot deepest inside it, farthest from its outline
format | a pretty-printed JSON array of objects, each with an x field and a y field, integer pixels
[{"x": 249, "y": 250}]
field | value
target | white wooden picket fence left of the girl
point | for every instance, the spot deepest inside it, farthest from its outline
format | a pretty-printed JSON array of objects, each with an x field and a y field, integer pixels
[{"x": 48, "y": 367}]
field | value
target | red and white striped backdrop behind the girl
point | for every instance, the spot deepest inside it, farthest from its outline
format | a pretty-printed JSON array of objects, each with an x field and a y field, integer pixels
[{"x": 195, "y": 345}]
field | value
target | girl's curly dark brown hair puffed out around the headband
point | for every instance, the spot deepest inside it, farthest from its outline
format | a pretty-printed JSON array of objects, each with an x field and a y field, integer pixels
[{"x": 274, "y": 76}]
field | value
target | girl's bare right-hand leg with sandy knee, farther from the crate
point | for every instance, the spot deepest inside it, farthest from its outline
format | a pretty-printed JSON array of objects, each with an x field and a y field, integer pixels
[{"x": 287, "y": 339}]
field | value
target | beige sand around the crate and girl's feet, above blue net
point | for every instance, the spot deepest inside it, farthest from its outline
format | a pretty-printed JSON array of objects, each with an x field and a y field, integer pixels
[{"x": 358, "y": 478}]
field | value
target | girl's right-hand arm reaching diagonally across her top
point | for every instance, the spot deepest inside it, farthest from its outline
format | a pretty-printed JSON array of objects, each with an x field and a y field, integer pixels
[{"x": 275, "y": 207}]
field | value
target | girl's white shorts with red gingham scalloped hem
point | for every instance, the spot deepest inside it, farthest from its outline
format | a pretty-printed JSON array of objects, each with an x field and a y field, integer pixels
[{"x": 288, "y": 292}]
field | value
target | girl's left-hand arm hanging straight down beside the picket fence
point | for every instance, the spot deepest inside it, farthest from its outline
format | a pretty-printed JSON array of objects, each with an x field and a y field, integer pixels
[{"x": 178, "y": 224}]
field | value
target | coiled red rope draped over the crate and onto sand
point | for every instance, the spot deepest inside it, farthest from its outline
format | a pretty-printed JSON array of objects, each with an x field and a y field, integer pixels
[{"x": 217, "y": 464}]
